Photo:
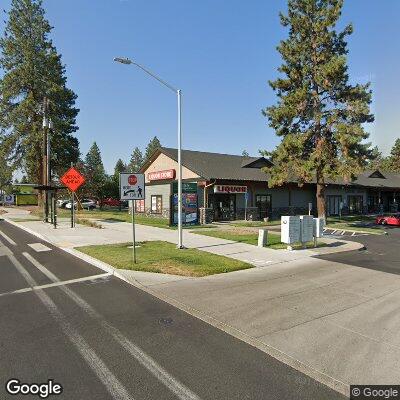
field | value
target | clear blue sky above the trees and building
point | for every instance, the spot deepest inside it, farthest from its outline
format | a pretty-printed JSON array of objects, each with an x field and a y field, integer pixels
[{"x": 221, "y": 54}]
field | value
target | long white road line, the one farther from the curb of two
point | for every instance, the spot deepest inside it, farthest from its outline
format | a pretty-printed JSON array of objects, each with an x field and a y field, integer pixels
[{"x": 109, "y": 380}]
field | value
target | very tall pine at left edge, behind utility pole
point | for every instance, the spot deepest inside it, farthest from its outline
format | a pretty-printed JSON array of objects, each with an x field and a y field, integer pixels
[{"x": 32, "y": 70}]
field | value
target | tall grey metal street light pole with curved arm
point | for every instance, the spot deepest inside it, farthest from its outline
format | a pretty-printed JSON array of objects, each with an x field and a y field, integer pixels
[{"x": 178, "y": 93}]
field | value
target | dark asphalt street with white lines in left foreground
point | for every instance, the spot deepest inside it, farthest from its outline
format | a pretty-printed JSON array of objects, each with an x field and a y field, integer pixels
[{"x": 101, "y": 338}]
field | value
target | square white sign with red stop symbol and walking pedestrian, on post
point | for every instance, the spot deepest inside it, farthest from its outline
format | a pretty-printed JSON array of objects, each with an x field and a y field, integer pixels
[{"x": 131, "y": 187}]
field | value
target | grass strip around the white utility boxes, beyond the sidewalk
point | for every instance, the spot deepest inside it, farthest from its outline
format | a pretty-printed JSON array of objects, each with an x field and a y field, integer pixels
[{"x": 274, "y": 239}]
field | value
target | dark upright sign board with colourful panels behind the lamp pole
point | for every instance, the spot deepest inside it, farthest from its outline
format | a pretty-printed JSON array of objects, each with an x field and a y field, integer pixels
[{"x": 189, "y": 204}]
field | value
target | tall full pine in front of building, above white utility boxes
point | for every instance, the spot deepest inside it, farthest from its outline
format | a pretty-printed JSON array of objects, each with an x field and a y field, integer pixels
[{"x": 319, "y": 114}]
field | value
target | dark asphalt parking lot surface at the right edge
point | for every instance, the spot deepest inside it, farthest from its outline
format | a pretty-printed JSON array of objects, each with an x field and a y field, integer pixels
[{"x": 382, "y": 252}]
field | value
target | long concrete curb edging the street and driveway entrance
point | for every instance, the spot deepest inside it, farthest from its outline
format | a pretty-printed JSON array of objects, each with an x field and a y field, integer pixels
[{"x": 298, "y": 365}]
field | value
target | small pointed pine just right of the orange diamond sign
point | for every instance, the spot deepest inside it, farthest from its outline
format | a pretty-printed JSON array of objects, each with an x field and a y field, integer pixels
[{"x": 94, "y": 173}]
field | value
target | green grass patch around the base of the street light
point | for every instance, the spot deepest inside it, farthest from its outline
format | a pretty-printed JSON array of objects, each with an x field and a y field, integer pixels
[{"x": 163, "y": 257}]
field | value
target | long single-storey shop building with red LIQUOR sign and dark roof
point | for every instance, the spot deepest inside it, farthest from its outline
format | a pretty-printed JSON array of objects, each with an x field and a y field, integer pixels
[{"x": 219, "y": 187}]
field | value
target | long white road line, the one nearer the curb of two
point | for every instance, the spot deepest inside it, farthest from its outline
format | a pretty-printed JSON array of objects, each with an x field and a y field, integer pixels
[{"x": 180, "y": 390}]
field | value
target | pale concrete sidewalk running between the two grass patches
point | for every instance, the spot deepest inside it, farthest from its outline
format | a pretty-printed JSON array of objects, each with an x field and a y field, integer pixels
[{"x": 118, "y": 232}]
